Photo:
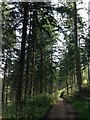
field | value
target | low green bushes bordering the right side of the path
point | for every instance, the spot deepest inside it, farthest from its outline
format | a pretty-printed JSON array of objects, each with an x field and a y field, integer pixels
[{"x": 81, "y": 106}]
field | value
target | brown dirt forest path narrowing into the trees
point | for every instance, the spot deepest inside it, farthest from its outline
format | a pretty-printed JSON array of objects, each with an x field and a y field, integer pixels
[{"x": 61, "y": 110}]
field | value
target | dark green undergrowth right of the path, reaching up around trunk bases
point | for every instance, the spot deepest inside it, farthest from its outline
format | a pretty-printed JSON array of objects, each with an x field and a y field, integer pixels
[{"x": 80, "y": 104}]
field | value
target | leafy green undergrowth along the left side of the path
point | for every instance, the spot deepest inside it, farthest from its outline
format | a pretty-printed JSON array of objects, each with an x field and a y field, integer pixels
[{"x": 32, "y": 108}]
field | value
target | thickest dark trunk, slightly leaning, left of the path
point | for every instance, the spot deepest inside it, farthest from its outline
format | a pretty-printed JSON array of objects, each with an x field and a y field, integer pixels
[{"x": 22, "y": 56}]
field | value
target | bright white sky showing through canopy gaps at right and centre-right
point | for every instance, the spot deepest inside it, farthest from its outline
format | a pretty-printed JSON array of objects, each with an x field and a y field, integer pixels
[{"x": 83, "y": 11}]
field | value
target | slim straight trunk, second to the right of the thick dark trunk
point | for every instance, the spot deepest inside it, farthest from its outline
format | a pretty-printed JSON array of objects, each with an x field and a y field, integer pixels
[{"x": 33, "y": 50}]
